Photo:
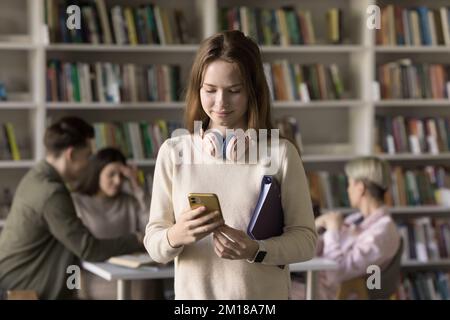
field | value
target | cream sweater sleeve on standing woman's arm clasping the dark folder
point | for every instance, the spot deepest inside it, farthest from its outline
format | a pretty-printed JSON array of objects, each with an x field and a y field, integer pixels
[{"x": 298, "y": 241}]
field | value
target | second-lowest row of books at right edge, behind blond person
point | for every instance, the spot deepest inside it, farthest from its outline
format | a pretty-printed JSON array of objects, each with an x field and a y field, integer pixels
[{"x": 425, "y": 239}]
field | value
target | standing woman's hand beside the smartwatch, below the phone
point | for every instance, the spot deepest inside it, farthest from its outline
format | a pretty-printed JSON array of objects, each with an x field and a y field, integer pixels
[{"x": 234, "y": 244}]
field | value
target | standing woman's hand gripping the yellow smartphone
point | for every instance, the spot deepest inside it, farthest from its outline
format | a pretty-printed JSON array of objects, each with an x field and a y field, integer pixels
[{"x": 192, "y": 226}]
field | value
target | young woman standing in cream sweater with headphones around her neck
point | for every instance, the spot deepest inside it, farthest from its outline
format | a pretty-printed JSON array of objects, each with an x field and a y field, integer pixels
[{"x": 215, "y": 258}]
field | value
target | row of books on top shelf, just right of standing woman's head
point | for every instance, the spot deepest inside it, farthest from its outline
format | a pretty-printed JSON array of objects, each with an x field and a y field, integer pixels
[{"x": 282, "y": 26}]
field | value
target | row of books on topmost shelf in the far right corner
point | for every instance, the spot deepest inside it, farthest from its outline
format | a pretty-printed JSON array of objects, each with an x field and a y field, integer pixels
[{"x": 414, "y": 26}]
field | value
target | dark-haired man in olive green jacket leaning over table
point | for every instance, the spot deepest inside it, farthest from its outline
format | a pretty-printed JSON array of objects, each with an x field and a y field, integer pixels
[{"x": 43, "y": 236}]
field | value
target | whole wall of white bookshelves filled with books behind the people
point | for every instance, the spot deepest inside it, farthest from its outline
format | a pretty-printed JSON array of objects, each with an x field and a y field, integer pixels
[{"x": 339, "y": 90}]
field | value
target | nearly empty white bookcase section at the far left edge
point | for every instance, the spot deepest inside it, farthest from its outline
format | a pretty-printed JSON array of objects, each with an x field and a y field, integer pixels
[{"x": 20, "y": 69}]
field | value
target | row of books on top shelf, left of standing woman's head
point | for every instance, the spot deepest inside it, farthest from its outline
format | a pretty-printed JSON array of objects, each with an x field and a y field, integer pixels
[{"x": 123, "y": 25}]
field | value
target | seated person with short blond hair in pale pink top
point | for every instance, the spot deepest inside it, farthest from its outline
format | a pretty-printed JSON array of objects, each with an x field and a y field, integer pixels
[{"x": 367, "y": 237}]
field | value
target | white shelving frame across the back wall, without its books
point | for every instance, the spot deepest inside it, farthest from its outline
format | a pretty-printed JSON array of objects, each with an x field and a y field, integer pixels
[{"x": 346, "y": 125}]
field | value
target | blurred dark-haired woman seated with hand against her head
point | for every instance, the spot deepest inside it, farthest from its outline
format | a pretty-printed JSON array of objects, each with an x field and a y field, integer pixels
[{"x": 108, "y": 211}]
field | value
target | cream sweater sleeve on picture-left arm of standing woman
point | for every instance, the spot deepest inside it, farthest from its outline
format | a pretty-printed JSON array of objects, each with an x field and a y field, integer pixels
[{"x": 161, "y": 210}]
